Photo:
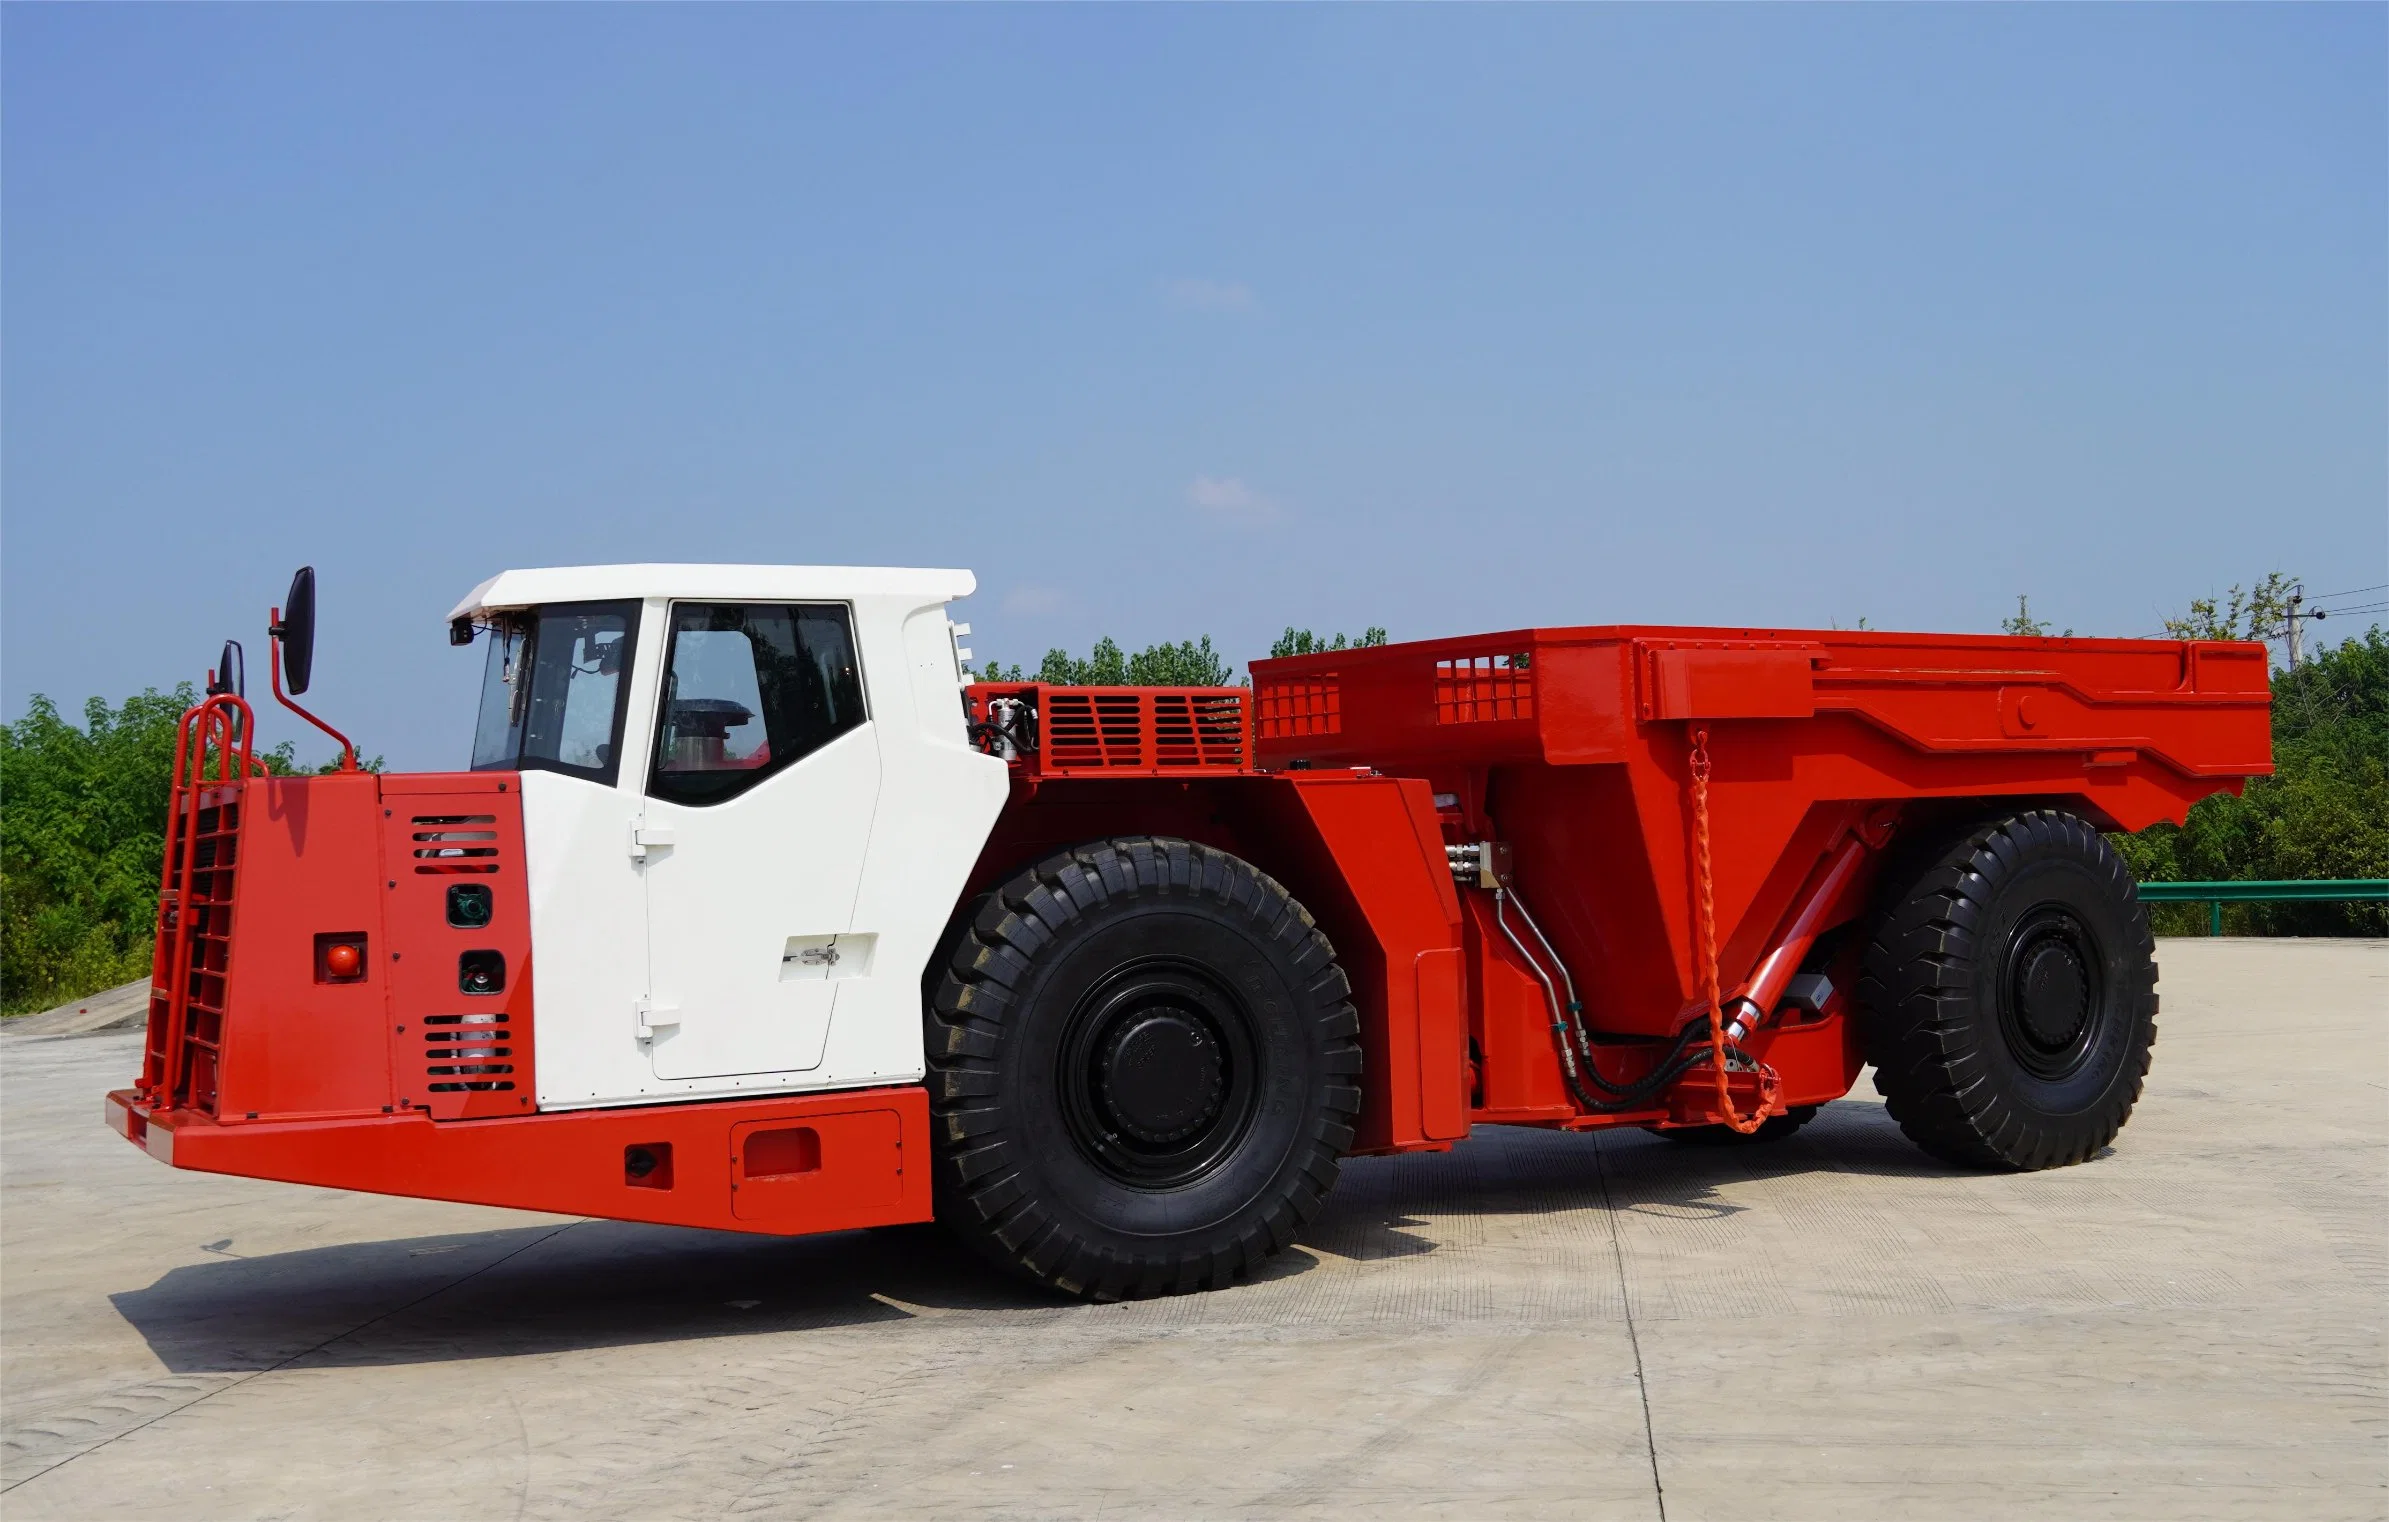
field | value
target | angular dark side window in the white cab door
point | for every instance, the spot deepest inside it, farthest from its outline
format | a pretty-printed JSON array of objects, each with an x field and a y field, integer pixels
[{"x": 749, "y": 689}]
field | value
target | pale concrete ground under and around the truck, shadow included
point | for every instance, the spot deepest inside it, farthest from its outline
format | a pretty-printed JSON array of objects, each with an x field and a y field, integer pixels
[{"x": 1535, "y": 1325}]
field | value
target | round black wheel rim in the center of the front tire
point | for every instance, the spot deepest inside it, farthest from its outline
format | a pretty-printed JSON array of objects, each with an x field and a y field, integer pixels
[{"x": 1157, "y": 1074}]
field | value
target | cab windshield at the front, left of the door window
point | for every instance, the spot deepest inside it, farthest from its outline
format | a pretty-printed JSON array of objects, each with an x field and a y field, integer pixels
[{"x": 555, "y": 689}]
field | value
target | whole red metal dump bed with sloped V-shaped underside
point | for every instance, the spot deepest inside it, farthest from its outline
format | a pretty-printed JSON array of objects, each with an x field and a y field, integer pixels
[{"x": 1576, "y": 747}]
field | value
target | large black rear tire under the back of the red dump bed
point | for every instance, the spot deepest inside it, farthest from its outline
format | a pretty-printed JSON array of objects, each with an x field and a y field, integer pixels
[{"x": 2010, "y": 998}]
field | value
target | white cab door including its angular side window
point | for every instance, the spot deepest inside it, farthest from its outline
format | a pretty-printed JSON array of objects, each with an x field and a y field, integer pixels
[{"x": 754, "y": 837}]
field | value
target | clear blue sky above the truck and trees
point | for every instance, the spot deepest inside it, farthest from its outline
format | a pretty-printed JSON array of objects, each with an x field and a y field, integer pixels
[{"x": 1179, "y": 321}]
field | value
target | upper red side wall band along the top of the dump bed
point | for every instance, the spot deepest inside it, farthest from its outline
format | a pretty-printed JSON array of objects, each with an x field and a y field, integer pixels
[{"x": 2197, "y": 713}]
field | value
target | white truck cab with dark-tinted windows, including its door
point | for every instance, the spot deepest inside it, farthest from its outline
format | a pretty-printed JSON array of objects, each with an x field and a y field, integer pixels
[{"x": 749, "y": 809}]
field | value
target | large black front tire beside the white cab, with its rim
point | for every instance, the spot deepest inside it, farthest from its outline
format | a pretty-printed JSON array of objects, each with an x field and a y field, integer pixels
[{"x": 1143, "y": 1072}]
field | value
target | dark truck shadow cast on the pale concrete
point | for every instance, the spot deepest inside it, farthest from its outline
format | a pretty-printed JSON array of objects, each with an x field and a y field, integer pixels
[{"x": 596, "y": 1284}]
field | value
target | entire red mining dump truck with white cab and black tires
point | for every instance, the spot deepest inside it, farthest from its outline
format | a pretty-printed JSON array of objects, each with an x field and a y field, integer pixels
[{"x": 756, "y": 914}]
